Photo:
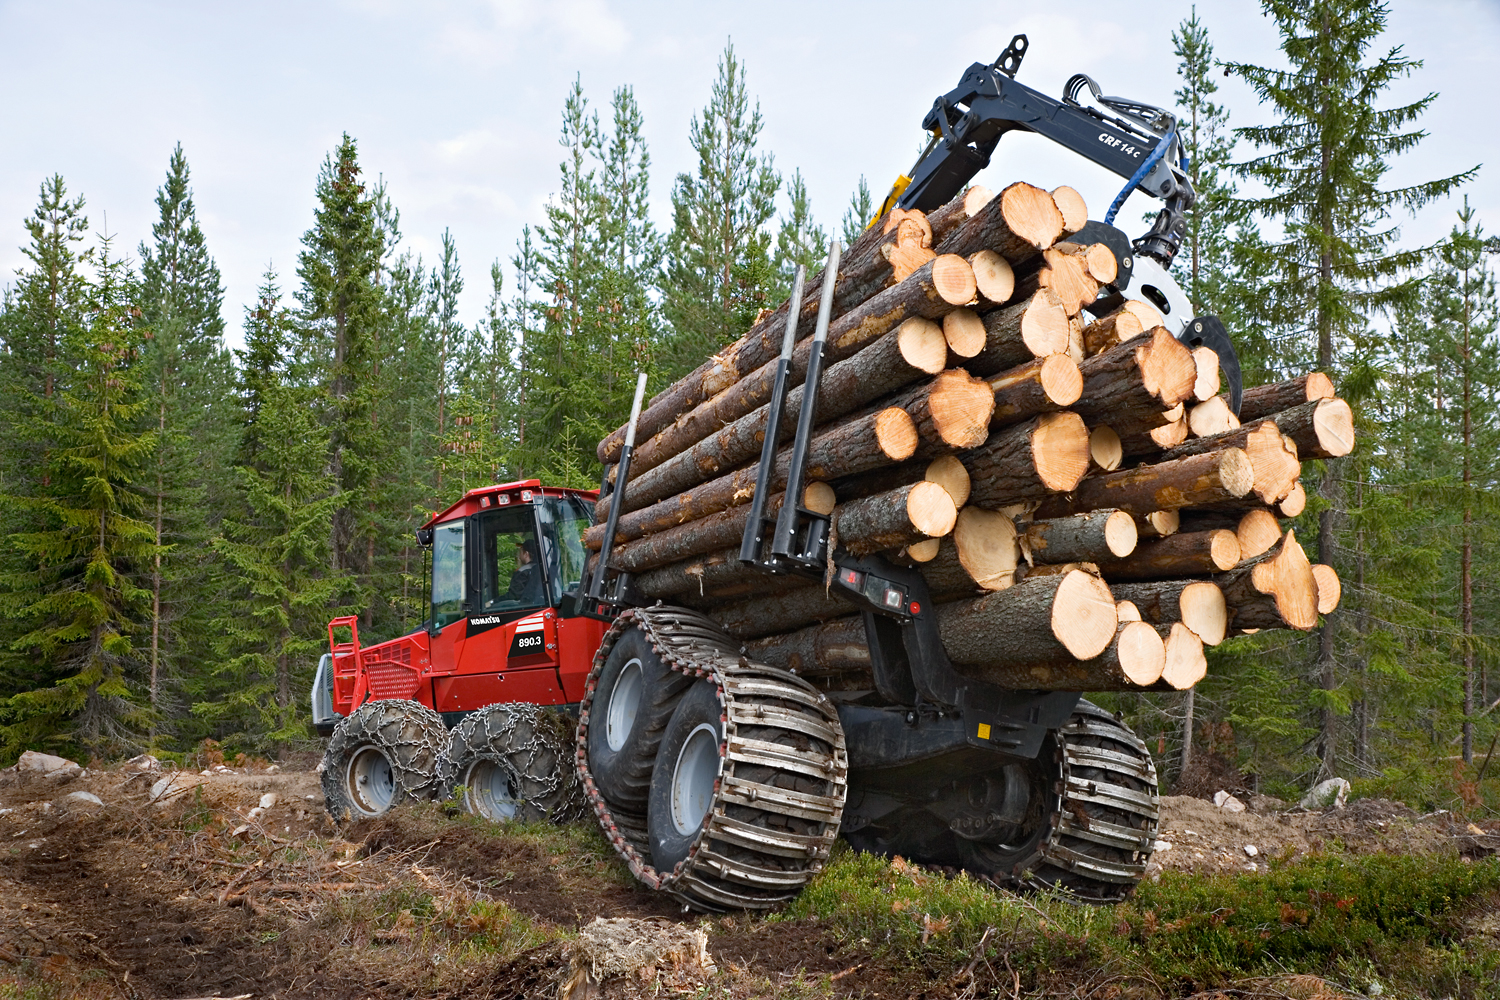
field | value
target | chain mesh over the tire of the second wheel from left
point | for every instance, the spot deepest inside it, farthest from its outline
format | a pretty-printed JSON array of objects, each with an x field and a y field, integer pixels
[{"x": 536, "y": 761}]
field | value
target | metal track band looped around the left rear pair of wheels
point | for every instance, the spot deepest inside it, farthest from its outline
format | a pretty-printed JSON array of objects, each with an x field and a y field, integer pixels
[{"x": 754, "y": 696}]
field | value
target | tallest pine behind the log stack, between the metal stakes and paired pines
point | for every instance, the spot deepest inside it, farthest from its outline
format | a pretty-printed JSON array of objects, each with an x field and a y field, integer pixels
[{"x": 719, "y": 272}]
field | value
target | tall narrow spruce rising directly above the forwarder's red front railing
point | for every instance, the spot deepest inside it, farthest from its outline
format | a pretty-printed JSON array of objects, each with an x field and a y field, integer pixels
[{"x": 343, "y": 307}]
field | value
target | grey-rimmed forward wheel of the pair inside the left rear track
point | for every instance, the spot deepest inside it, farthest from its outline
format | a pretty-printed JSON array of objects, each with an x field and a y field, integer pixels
[{"x": 632, "y": 705}]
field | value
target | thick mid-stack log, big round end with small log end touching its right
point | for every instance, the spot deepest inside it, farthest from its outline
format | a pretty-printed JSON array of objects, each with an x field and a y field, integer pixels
[{"x": 1025, "y": 463}]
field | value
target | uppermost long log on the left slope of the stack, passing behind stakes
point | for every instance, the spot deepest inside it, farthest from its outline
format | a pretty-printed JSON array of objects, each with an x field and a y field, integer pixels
[{"x": 862, "y": 274}]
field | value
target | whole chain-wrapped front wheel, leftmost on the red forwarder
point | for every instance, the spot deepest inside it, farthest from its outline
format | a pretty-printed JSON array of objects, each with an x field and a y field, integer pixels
[{"x": 383, "y": 755}]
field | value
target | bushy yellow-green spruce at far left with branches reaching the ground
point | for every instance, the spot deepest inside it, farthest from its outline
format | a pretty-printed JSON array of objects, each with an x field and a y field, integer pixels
[{"x": 77, "y": 596}]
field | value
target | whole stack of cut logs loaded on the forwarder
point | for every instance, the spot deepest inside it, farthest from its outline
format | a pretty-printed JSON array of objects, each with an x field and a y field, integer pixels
[{"x": 1085, "y": 506}]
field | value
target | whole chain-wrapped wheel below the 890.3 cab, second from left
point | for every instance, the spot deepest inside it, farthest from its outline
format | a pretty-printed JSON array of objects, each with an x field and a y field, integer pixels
[{"x": 515, "y": 764}]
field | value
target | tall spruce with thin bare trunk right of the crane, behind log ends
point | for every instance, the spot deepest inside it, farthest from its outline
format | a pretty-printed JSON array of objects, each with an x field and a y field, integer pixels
[{"x": 1324, "y": 164}]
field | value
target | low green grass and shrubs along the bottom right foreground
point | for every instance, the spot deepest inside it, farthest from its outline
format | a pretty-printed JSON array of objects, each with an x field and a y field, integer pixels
[{"x": 1402, "y": 921}]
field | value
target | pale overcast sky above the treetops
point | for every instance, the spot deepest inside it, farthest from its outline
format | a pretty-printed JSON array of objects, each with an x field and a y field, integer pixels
[{"x": 457, "y": 103}]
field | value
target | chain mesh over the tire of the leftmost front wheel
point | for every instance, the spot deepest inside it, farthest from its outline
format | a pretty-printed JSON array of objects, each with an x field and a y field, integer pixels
[{"x": 412, "y": 735}]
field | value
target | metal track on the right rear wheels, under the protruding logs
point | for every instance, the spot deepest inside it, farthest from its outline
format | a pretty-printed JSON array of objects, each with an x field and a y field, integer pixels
[{"x": 1106, "y": 798}]
